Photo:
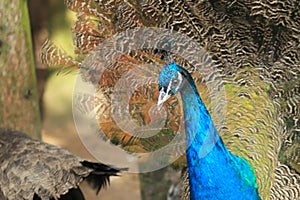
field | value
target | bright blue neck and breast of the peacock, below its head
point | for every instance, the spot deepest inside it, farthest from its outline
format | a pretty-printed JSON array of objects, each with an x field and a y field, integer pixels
[{"x": 214, "y": 173}]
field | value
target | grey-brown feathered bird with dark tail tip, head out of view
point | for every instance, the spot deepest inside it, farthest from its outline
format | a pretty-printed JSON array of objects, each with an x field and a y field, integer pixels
[{"x": 31, "y": 169}]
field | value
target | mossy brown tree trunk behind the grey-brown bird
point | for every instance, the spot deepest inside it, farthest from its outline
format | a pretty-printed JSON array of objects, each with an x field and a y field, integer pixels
[{"x": 19, "y": 107}]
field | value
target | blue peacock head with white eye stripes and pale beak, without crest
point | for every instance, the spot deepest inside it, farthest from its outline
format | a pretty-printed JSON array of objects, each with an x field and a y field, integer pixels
[{"x": 171, "y": 80}]
